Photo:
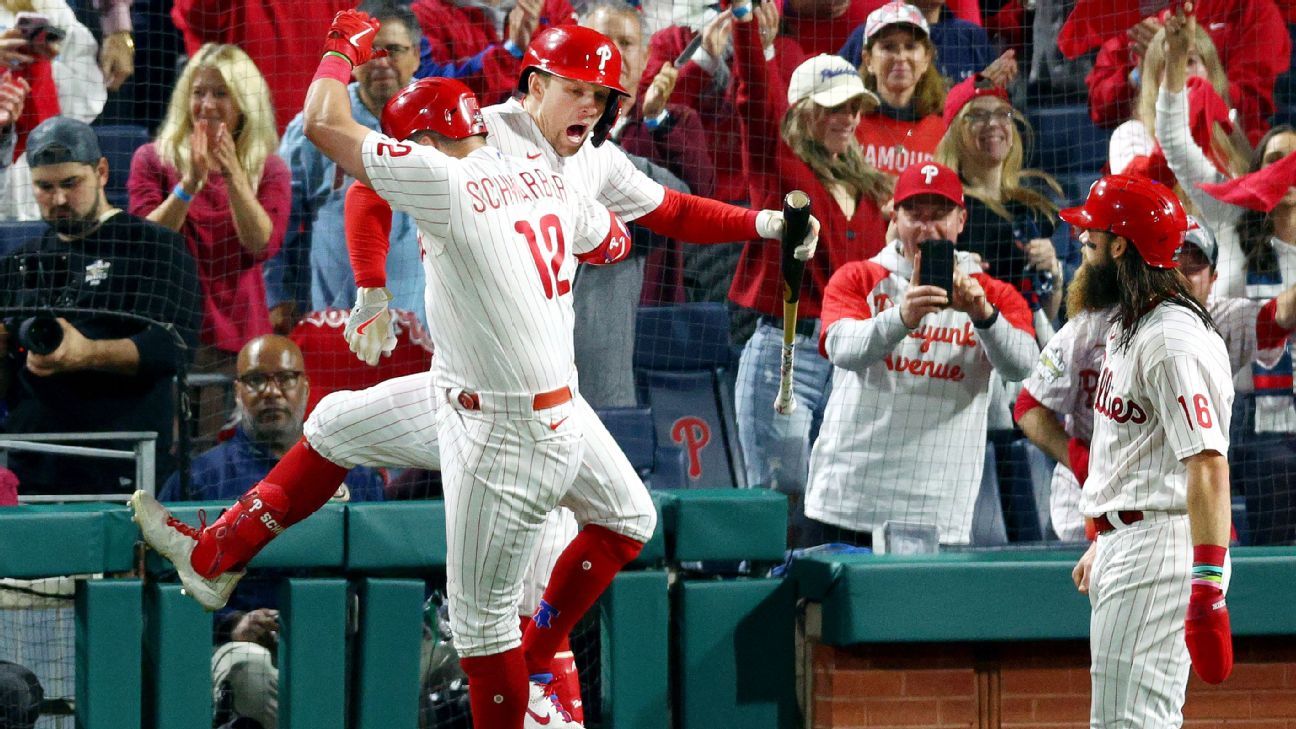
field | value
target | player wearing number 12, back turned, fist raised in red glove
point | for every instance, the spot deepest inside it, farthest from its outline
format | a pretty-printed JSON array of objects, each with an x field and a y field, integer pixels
[{"x": 511, "y": 429}]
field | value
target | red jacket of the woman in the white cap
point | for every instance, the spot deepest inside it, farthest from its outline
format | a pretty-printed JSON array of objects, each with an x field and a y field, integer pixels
[{"x": 777, "y": 171}]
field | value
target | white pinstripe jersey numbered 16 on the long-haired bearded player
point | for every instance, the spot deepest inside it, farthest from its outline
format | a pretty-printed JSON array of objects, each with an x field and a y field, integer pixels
[{"x": 1164, "y": 398}]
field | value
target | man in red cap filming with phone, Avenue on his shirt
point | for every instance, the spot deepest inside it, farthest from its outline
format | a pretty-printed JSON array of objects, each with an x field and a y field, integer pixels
[{"x": 914, "y": 335}]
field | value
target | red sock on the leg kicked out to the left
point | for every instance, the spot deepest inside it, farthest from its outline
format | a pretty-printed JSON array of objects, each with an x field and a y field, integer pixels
[{"x": 297, "y": 486}]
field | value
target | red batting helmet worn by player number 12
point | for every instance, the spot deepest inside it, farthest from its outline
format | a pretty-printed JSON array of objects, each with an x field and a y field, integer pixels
[{"x": 434, "y": 104}]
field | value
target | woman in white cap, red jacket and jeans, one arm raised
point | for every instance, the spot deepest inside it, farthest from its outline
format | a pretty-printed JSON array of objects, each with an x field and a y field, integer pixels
[{"x": 799, "y": 137}]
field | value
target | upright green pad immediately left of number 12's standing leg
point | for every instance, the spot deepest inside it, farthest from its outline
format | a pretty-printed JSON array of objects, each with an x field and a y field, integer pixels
[{"x": 386, "y": 684}]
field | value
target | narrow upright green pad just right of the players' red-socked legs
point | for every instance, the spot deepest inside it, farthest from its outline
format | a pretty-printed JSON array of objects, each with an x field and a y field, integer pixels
[{"x": 636, "y": 658}]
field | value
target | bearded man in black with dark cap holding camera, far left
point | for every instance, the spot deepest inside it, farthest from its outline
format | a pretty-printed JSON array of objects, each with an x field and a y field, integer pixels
[{"x": 100, "y": 313}]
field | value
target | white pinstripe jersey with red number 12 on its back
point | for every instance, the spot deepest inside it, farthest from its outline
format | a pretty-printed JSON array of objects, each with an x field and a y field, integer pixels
[{"x": 500, "y": 237}]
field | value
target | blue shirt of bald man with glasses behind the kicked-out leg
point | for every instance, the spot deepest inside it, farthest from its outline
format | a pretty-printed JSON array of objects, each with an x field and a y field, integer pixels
[{"x": 227, "y": 472}]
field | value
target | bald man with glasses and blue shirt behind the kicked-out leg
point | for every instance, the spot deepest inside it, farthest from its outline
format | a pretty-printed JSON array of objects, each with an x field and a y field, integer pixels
[{"x": 272, "y": 390}]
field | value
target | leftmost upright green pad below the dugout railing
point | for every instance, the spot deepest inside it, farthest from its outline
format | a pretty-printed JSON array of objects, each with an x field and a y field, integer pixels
[{"x": 110, "y": 631}]
